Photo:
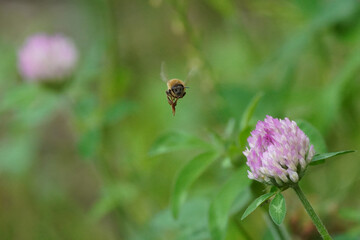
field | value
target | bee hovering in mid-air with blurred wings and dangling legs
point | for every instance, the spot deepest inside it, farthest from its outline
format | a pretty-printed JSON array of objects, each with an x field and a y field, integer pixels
[{"x": 176, "y": 88}]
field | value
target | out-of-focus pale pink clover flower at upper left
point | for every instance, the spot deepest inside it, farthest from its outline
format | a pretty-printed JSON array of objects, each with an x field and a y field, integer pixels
[{"x": 47, "y": 58}]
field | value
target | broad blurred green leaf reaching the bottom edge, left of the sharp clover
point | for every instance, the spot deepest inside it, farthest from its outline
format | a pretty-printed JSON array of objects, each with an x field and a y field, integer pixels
[{"x": 222, "y": 203}]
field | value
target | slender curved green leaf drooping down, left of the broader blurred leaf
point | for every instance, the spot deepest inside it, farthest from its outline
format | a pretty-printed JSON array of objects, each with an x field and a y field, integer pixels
[{"x": 187, "y": 175}]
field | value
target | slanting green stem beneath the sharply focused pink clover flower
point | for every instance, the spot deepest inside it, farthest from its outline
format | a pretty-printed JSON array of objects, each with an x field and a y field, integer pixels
[{"x": 316, "y": 220}]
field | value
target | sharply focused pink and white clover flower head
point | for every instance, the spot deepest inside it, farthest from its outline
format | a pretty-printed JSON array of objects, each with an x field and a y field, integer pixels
[{"x": 279, "y": 152}]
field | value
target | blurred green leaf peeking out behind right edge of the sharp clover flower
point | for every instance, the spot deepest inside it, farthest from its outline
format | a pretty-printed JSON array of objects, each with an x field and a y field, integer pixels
[{"x": 314, "y": 135}]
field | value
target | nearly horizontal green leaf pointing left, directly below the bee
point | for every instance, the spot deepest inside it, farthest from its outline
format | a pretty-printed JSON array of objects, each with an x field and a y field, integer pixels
[{"x": 176, "y": 141}]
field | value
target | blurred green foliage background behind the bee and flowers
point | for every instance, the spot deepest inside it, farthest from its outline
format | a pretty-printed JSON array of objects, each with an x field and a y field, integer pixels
[{"x": 75, "y": 162}]
